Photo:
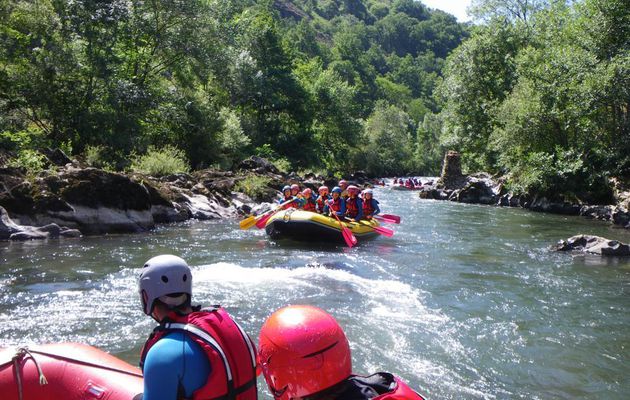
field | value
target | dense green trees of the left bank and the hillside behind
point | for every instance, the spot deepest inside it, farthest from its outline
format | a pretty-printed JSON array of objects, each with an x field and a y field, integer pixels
[{"x": 216, "y": 79}]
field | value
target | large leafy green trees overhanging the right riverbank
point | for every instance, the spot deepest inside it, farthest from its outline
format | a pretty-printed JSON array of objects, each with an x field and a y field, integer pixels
[{"x": 543, "y": 96}]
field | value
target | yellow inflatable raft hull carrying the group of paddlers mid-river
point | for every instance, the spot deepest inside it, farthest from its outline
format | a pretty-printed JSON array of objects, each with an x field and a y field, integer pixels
[{"x": 309, "y": 226}]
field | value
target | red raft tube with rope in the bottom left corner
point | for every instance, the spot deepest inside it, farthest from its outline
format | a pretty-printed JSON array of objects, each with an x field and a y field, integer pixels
[{"x": 68, "y": 371}]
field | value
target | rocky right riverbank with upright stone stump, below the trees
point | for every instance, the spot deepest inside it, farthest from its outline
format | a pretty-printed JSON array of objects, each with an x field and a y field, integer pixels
[{"x": 482, "y": 188}]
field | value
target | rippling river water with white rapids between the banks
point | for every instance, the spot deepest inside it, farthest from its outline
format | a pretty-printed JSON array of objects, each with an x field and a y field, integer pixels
[{"x": 464, "y": 302}]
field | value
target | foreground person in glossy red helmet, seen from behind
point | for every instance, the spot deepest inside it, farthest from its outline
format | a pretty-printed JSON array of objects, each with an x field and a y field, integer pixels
[{"x": 304, "y": 354}]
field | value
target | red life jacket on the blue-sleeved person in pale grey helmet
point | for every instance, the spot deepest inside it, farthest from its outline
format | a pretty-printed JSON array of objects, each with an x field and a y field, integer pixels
[{"x": 231, "y": 353}]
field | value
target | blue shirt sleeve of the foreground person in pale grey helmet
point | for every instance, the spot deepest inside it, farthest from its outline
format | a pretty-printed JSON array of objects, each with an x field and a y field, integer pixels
[{"x": 173, "y": 362}]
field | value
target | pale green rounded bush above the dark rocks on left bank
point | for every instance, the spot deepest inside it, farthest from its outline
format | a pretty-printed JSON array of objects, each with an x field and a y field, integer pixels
[{"x": 159, "y": 162}]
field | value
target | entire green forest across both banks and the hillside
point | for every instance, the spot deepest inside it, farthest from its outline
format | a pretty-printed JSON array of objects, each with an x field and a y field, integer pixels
[{"x": 536, "y": 91}]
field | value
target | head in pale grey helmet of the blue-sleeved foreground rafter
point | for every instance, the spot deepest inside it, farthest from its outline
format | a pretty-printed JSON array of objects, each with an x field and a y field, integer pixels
[{"x": 166, "y": 278}]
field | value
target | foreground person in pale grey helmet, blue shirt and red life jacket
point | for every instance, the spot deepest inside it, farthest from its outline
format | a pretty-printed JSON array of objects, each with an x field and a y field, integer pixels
[{"x": 194, "y": 353}]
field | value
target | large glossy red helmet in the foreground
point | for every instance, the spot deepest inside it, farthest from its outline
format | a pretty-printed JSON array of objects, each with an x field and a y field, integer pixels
[{"x": 303, "y": 350}]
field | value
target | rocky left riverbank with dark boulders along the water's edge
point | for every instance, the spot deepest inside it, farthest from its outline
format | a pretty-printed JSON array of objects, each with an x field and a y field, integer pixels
[{"x": 70, "y": 200}]
